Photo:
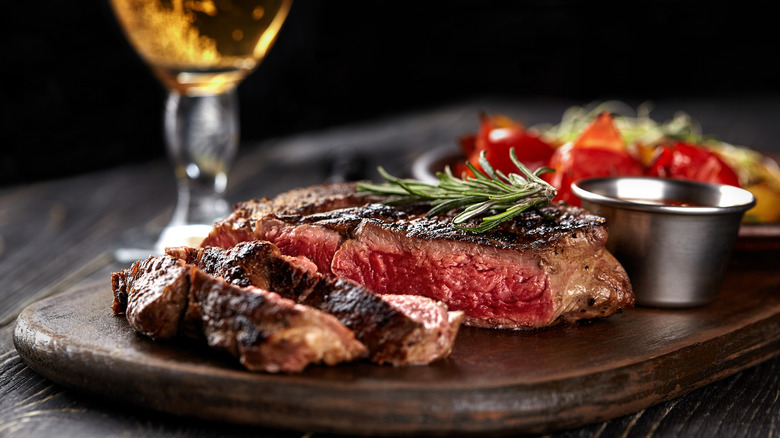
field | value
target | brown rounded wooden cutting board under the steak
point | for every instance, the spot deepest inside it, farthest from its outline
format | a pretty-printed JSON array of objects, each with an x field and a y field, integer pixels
[{"x": 494, "y": 381}]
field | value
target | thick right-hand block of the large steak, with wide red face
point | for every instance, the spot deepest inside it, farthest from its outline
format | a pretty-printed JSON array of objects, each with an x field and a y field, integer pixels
[{"x": 510, "y": 278}]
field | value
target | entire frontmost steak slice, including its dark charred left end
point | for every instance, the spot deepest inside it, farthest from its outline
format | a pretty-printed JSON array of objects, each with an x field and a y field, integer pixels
[{"x": 164, "y": 297}]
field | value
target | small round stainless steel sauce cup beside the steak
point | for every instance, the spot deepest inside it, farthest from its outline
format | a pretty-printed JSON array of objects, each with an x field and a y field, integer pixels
[{"x": 674, "y": 238}]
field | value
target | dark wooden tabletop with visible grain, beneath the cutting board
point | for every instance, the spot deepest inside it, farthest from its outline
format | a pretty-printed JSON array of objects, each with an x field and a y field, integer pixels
[{"x": 58, "y": 234}]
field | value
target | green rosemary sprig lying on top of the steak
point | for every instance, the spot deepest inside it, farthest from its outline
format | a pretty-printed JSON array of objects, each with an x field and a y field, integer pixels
[{"x": 491, "y": 194}]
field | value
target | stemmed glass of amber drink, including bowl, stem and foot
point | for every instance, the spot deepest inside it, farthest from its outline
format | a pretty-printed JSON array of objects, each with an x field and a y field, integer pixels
[{"x": 200, "y": 50}]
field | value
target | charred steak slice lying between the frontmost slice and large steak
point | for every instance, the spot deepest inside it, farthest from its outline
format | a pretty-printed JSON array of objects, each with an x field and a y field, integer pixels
[{"x": 399, "y": 331}]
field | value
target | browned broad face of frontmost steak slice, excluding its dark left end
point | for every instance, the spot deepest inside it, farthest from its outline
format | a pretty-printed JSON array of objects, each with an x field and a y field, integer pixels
[{"x": 267, "y": 332}]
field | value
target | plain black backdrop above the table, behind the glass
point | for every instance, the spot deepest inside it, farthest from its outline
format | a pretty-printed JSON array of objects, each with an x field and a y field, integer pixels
[{"x": 75, "y": 97}]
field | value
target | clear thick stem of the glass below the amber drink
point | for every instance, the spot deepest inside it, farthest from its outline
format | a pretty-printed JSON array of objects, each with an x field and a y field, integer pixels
[{"x": 202, "y": 140}]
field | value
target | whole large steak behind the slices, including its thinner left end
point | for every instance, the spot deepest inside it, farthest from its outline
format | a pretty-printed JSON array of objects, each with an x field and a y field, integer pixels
[{"x": 542, "y": 268}]
